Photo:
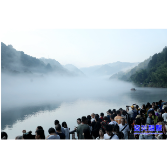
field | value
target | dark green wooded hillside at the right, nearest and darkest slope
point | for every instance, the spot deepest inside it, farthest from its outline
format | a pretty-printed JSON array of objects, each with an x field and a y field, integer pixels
[{"x": 155, "y": 74}]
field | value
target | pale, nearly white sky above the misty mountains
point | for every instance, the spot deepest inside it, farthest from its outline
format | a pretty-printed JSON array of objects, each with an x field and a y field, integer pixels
[{"x": 84, "y": 47}]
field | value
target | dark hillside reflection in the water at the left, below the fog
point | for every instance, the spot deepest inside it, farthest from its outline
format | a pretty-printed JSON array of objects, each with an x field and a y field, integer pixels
[{"x": 11, "y": 116}]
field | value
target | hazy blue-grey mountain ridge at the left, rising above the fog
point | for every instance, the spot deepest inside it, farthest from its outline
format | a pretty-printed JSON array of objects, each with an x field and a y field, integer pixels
[{"x": 17, "y": 62}]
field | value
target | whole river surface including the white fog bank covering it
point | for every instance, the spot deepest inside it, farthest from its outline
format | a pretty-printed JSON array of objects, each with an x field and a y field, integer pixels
[{"x": 27, "y": 102}]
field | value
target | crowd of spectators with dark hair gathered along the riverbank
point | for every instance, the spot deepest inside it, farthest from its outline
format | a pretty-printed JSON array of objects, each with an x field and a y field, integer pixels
[{"x": 116, "y": 125}]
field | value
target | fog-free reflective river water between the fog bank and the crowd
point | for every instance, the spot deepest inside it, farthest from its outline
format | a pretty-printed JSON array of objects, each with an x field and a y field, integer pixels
[{"x": 13, "y": 121}]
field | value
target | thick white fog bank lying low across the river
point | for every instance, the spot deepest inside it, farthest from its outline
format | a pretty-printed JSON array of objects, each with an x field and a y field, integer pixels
[{"x": 22, "y": 91}]
